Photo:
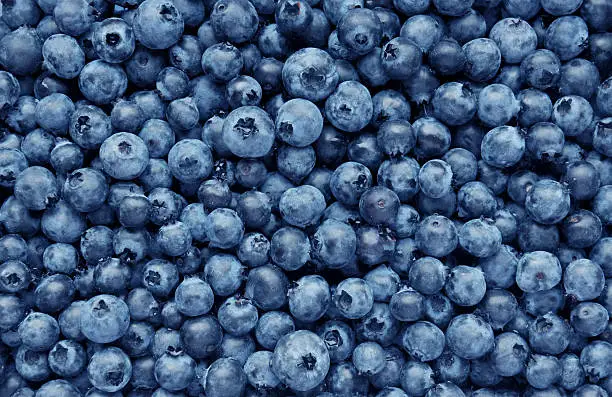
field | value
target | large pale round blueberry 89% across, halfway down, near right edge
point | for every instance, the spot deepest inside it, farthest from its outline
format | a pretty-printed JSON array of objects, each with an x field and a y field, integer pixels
[{"x": 547, "y": 202}]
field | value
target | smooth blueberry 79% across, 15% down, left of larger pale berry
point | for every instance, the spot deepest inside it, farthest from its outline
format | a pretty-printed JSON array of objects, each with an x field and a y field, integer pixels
[{"x": 483, "y": 59}]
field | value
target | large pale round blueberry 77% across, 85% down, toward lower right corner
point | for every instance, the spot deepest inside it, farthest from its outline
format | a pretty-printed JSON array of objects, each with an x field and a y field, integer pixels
[{"x": 469, "y": 336}]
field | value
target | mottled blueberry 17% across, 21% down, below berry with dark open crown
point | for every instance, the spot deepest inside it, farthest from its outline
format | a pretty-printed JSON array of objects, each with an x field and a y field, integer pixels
[{"x": 101, "y": 82}]
